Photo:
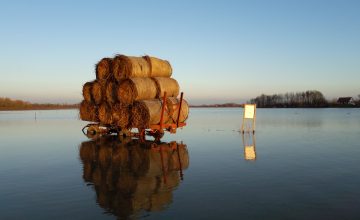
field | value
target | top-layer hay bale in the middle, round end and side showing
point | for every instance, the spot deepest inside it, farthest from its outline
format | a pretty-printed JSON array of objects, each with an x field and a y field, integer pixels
[{"x": 127, "y": 66}]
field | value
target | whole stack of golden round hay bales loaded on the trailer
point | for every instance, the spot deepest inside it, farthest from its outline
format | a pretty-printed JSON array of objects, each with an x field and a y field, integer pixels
[{"x": 128, "y": 93}]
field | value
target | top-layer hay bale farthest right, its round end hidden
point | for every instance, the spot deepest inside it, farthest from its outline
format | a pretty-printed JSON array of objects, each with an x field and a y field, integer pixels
[{"x": 159, "y": 67}]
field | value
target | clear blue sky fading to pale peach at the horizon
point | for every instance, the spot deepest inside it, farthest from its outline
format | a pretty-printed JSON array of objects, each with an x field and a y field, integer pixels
[{"x": 221, "y": 51}]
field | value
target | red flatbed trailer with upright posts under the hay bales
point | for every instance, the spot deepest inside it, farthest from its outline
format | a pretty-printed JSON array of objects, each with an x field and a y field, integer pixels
[{"x": 155, "y": 130}]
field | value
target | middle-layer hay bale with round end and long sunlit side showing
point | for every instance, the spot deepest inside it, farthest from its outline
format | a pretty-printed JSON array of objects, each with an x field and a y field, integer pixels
[{"x": 134, "y": 89}]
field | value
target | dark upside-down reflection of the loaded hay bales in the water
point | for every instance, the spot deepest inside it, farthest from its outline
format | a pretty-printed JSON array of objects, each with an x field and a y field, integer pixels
[{"x": 130, "y": 176}]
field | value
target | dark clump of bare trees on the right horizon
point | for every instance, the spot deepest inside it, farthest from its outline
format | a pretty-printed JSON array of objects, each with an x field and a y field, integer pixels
[{"x": 311, "y": 98}]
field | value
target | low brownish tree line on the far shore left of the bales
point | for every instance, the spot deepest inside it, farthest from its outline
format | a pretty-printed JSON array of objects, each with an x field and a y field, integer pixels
[{"x": 10, "y": 104}]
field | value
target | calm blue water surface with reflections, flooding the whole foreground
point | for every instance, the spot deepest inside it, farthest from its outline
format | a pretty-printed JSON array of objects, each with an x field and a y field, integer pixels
[{"x": 301, "y": 164}]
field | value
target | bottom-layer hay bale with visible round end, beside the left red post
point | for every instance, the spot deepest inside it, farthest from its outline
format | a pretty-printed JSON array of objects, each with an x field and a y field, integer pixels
[{"x": 147, "y": 112}]
